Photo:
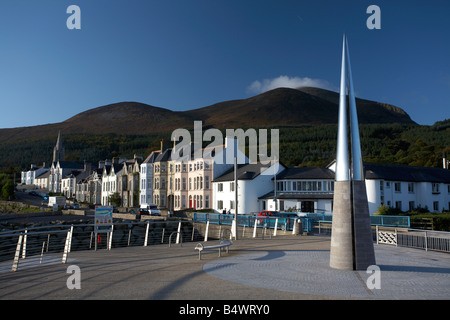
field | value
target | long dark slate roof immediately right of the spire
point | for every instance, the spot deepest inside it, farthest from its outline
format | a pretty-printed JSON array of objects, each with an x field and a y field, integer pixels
[{"x": 393, "y": 172}]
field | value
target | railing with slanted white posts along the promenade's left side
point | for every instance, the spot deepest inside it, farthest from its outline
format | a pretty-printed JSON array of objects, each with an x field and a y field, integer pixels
[{"x": 17, "y": 245}]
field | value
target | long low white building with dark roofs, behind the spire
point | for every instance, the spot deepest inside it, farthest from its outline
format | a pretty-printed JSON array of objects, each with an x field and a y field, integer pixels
[{"x": 312, "y": 189}]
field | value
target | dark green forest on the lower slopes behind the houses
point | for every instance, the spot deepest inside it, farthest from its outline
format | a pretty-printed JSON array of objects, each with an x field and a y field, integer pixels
[{"x": 299, "y": 146}]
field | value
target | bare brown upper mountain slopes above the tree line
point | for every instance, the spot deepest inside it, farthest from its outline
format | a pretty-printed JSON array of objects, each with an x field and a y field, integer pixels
[{"x": 276, "y": 108}]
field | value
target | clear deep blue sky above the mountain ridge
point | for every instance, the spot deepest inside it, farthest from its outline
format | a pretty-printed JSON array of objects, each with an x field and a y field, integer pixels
[{"x": 185, "y": 54}]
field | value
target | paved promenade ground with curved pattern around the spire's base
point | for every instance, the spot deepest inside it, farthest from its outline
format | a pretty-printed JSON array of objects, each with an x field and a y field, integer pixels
[{"x": 279, "y": 268}]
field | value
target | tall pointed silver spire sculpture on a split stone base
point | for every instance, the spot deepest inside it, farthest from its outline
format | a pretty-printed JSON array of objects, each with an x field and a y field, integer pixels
[{"x": 351, "y": 236}]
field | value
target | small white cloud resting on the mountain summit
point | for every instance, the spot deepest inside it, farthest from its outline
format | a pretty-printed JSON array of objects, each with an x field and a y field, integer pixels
[{"x": 287, "y": 82}]
